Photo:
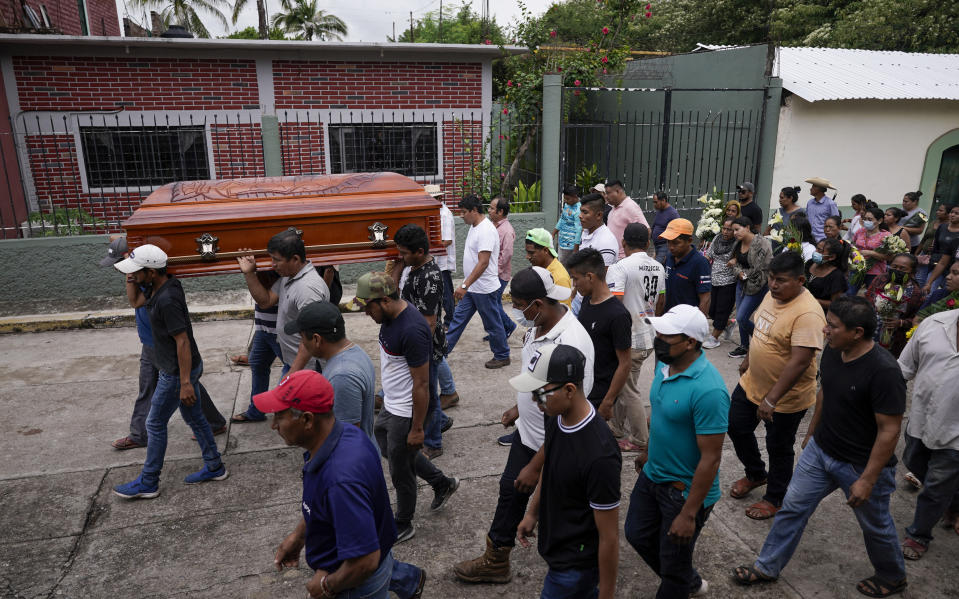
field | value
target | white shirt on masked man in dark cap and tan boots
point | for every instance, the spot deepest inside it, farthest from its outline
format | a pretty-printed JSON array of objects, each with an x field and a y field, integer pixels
[{"x": 568, "y": 331}]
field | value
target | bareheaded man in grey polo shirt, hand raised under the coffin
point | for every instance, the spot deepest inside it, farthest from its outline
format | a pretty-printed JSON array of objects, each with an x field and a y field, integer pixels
[{"x": 298, "y": 286}]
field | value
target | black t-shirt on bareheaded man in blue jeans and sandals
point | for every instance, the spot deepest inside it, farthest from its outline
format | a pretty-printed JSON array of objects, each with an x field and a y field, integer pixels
[{"x": 853, "y": 393}]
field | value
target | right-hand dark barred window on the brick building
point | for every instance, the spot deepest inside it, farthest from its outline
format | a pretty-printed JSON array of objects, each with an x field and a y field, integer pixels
[{"x": 408, "y": 149}]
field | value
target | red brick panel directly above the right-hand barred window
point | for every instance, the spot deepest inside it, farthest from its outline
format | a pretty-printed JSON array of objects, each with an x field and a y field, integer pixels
[{"x": 378, "y": 85}]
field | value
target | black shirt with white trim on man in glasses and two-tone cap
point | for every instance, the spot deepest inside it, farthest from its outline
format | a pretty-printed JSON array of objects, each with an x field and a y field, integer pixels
[{"x": 581, "y": 473}]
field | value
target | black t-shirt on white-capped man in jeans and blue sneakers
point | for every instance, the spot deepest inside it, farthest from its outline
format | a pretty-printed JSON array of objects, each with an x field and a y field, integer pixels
[{"x": 168, "y": 317}]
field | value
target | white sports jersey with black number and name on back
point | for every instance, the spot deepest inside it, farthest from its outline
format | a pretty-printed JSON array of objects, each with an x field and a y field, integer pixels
[{"x": 639, "y": 280}]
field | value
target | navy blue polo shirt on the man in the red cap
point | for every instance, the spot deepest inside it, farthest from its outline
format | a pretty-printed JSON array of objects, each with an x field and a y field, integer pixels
[{"x": 345, "y": 503}]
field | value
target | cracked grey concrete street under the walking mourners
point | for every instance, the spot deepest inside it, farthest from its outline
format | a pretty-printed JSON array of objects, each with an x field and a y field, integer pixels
[{"x": 66, "y": 395}]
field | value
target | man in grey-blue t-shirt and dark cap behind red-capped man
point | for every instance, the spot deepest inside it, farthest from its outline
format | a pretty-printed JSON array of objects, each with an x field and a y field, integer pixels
[{"x": 348, "y": 368}]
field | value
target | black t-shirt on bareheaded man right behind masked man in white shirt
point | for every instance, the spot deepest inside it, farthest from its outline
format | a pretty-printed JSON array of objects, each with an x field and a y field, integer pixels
[{"x": 610, "y": 326}]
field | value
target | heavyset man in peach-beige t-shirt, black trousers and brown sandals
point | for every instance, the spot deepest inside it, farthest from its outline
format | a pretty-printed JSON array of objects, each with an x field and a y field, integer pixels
[{"x": 778, "y": 383}]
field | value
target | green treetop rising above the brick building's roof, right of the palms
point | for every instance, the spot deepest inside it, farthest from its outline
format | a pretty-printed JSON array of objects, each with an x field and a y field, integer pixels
[{"x": 459, "y": 26}]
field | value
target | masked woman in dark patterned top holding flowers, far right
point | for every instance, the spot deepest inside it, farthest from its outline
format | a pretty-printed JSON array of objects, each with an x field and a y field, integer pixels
[{"x": 896, "y": 297}]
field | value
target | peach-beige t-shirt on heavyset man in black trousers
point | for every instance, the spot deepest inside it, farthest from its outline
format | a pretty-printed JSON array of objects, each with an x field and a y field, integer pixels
[{"x": 779, "y": 328}]
